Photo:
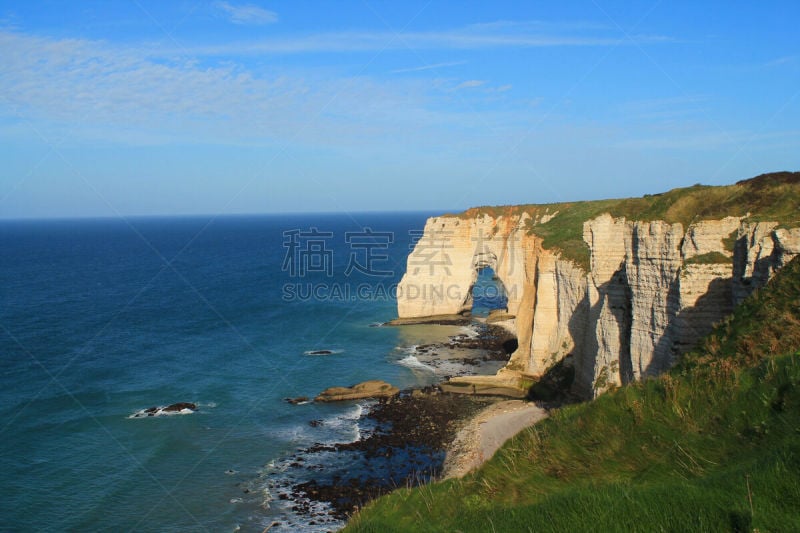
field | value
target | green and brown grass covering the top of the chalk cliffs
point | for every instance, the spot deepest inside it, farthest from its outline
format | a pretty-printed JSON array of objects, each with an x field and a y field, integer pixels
[{"x": 774, "y": 197}]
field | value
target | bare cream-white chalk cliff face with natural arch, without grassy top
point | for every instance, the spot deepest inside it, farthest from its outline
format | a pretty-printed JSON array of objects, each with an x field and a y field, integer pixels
[{"x": 652, "y": 289}]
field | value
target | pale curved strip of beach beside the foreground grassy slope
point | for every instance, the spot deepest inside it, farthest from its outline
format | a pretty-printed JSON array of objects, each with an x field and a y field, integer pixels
[{"x": 477, "y": 442}]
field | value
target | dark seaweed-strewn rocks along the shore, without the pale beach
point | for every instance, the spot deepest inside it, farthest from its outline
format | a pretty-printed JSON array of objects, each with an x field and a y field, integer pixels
[{"x": 410, "y": 433}]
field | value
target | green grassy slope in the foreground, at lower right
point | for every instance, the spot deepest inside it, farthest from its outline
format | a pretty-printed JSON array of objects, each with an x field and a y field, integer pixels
[{"x": 714, "y": 445}]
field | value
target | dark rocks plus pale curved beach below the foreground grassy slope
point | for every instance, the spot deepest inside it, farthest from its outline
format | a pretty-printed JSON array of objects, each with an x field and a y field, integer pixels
[{"x": 420, "y": 436}]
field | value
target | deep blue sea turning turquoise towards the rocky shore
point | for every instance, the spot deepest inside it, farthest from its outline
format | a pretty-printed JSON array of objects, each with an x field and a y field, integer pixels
[{"x": 103, "y": 319}]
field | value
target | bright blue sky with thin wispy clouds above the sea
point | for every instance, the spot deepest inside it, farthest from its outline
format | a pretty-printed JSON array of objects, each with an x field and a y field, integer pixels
[{"x": 149, "y": 107}]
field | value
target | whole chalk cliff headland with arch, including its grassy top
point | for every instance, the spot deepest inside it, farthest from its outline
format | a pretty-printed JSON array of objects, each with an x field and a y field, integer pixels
[{"x": 622, "y": 286}]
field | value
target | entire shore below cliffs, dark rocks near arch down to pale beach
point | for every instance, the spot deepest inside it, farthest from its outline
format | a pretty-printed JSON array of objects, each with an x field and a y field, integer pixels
[{"x": 415, "y": 436}]
